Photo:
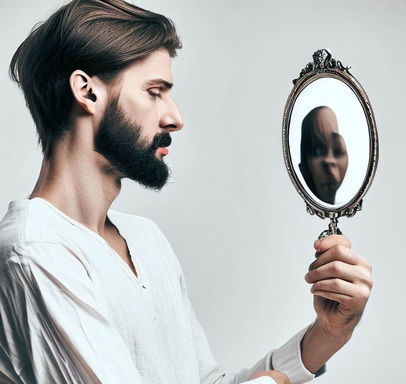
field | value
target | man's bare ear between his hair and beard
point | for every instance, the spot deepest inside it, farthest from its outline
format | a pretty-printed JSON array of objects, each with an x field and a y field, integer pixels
[{"x": 83, "y": 90}]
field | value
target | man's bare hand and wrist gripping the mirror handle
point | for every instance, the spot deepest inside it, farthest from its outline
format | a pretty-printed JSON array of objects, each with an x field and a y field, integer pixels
[{"x": 341, "y": 287}]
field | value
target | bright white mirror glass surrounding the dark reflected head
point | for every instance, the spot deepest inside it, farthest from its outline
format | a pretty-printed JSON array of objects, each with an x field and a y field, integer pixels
[{"x": 352, "y": 126}]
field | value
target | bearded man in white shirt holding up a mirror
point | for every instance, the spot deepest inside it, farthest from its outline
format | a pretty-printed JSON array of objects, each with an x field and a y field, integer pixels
[{"x": 94, "y": 296}]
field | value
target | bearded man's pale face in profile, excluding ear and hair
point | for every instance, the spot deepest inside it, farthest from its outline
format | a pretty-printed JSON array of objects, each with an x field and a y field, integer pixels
[{"x": 134, "y": 132}]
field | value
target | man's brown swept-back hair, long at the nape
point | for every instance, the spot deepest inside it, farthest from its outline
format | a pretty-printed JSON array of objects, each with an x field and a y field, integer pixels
[{"x": 100, "y": 37}]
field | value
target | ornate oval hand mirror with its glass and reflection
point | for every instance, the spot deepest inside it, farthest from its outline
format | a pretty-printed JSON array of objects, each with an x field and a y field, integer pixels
[{"x": 330, "y": 142}]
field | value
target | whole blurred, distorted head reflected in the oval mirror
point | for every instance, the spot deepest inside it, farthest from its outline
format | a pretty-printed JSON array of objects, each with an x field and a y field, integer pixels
[{"x": 323, "y": 154}]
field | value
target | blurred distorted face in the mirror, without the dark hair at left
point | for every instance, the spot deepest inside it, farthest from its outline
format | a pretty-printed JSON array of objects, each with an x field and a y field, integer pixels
[{"x": 329, "y": 160}]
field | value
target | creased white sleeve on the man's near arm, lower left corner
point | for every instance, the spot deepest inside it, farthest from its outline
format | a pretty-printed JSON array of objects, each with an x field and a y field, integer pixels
[{"x": 55, "y": 325}]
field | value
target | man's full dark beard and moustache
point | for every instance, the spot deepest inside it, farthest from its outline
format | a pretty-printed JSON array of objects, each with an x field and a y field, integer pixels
[{"x": 130, "y": 154}]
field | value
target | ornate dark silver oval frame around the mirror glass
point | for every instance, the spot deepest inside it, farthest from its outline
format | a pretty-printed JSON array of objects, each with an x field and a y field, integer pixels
[{"x": 325, "y": 66}]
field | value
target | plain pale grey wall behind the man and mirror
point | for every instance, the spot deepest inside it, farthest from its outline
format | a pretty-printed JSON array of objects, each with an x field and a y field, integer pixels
[{"x": 233, "y": 217}]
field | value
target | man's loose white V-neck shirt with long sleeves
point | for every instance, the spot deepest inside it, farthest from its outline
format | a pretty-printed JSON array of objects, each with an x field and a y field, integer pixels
[{"x": 72, "y": 311}]
